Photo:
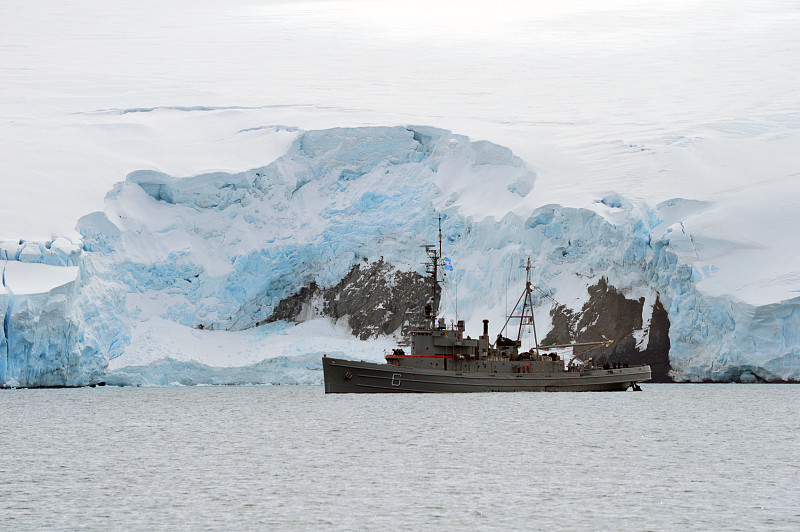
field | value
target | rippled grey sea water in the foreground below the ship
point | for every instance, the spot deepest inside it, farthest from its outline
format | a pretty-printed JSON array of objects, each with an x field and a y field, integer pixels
[{"x": 711, "y": 457}]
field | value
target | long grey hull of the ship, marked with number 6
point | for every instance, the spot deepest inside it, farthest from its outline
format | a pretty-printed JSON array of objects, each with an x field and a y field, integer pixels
[{"x": 349, "y": 376}]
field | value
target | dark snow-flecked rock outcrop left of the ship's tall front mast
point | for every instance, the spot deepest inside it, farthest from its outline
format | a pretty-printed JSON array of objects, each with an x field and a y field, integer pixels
[{"x": 374, "y": 297}]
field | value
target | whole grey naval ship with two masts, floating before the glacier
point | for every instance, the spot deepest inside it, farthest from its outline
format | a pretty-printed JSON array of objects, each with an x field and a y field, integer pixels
[{"x": 443, "y": 359}]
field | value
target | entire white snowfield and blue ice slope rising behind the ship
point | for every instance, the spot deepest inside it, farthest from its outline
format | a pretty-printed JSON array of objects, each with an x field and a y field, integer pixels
[{"x": 681, "y": 116}]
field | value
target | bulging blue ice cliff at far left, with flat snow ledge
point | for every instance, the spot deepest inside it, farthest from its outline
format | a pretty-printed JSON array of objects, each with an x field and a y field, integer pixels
[{"x": 61, "y": 323}]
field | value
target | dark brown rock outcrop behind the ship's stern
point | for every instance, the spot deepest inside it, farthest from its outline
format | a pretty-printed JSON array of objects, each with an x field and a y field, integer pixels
[{"x": 608, "y": 313}]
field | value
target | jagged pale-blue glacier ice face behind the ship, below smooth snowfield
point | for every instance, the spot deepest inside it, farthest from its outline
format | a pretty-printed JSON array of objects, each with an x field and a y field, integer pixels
[{"x": 178, "y": 279}]
